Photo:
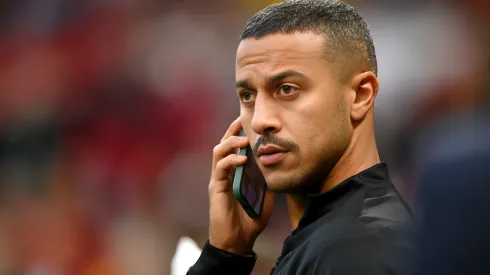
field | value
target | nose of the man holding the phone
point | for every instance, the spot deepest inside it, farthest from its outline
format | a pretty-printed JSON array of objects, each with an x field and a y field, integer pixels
[{"x": 266, "y": 116}]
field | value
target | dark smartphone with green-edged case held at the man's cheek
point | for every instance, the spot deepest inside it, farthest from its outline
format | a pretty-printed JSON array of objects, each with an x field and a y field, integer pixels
[{"x": 249, "y": 184}]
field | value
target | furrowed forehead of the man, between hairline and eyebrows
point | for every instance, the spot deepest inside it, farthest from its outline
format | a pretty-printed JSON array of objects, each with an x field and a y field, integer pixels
[{"x": 277, "y": 52}]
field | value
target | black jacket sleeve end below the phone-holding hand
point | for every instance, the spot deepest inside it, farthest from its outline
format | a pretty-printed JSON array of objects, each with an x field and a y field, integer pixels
[{"x": 214, "y": 261}]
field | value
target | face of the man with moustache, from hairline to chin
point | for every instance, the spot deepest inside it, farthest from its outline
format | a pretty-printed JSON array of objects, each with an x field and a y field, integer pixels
[{"x": 292, "y": 108}]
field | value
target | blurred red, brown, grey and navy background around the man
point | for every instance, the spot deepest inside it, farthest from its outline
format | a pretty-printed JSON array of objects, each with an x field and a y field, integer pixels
[{"x": 109, "y": 111}]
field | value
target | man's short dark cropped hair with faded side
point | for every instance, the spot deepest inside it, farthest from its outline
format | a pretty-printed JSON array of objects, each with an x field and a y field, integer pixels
[{"x": 347, "y": 36}]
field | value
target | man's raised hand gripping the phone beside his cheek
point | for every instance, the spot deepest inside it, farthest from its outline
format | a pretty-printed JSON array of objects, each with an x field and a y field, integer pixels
[{"x": 230, "y": 228}]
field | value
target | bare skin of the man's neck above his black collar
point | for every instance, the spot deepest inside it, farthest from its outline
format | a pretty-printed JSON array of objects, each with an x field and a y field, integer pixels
[{"x": 360, "y": 155}]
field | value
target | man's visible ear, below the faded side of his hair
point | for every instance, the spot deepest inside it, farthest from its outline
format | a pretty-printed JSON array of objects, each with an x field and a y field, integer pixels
[{"x": 365, "y": 87}]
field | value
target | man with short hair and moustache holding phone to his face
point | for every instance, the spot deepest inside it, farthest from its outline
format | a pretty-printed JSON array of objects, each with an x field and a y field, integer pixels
[{"x": 306, "y": 81}]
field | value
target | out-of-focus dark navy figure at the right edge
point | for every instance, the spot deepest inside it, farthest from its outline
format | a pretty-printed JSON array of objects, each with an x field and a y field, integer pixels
[{"x": 453, "y": 197}]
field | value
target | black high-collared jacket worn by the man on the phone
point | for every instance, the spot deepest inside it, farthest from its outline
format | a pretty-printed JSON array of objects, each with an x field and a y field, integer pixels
[{"x": 359, "y": 227}]
